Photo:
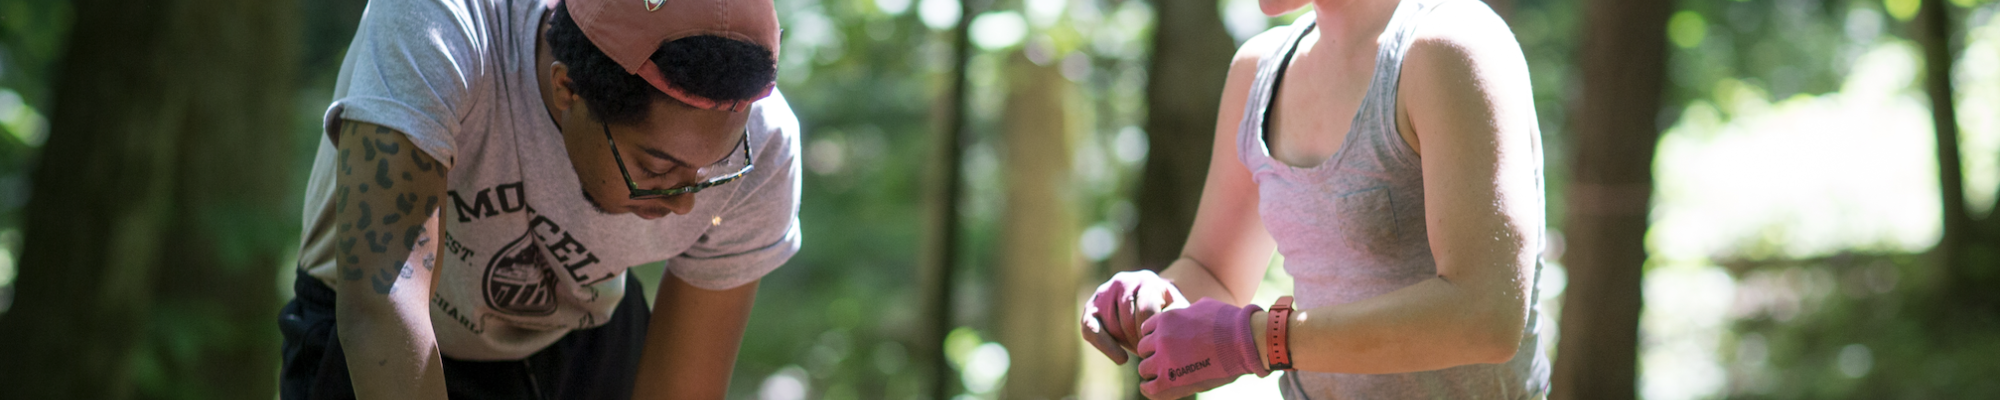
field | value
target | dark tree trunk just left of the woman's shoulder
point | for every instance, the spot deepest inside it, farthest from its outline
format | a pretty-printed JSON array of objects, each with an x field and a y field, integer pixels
[{"x": 1191, "y": 59}]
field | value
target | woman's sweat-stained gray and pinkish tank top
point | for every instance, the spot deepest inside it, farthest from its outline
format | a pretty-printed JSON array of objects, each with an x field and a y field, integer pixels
[{"x": 1353, "y": 227}]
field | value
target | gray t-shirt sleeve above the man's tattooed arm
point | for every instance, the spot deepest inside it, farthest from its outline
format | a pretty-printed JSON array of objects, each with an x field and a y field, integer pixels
[{"x": 413, "y": 67}]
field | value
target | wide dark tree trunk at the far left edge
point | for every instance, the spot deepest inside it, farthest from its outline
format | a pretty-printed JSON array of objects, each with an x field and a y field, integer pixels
[{"x": 161, "y": 211}]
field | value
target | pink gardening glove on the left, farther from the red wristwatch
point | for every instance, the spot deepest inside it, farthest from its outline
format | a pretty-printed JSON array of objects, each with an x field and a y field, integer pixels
[{"x": 1121, "y": 305}]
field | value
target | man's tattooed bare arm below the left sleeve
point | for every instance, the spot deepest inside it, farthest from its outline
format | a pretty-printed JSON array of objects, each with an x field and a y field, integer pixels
[{"x": 387, "y": 221}]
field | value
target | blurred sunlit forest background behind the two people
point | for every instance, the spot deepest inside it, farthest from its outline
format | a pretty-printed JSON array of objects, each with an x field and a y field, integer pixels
[{"x": 1763, "y": 199}]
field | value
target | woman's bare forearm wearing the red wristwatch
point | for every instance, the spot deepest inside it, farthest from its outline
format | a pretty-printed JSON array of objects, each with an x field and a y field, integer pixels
[{"x": 1427, "y": 327}]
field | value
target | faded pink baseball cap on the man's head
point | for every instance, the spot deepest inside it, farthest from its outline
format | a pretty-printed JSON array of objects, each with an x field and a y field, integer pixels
[{"x": 633, "y": 31}]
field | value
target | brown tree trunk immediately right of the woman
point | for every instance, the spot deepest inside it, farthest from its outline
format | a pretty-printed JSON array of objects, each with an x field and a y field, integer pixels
[{"x": 1617, "y": 129}]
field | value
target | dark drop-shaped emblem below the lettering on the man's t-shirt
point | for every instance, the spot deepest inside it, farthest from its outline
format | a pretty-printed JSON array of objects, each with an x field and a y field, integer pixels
[{"x": 519, "y": 281}]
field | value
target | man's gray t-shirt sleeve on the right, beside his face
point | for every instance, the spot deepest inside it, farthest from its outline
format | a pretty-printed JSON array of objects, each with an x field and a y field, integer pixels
[{"x": 759, "y": 229}]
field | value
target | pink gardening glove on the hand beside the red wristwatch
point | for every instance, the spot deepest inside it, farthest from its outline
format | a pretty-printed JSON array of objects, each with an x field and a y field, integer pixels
[{"x": 1197, "y": 349}]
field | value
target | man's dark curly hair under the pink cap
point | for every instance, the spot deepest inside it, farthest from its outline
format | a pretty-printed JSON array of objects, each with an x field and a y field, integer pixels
[{"x": 711, "y": 67}]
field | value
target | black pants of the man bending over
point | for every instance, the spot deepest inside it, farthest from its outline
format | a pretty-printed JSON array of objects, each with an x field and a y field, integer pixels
[{"x": 597, "y": 363}]
